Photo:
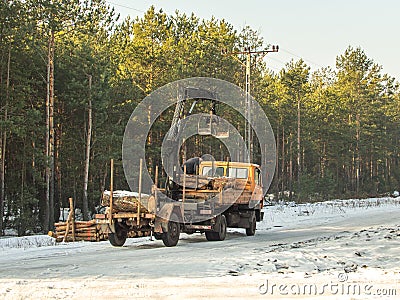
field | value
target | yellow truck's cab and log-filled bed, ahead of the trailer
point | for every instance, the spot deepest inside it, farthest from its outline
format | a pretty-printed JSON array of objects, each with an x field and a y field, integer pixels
[{"x": 234, "y": 189}]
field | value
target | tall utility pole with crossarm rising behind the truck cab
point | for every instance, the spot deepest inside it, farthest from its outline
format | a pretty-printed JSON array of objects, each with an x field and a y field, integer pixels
[{"x": 248, "y": 52}]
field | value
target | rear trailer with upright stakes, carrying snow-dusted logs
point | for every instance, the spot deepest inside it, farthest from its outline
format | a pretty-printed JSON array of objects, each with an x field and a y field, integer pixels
[{"x": 130, "y": 212}]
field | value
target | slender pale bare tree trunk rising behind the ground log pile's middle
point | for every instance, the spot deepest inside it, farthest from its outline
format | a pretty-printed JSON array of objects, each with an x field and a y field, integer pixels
[{"x": 87, "y": 161}]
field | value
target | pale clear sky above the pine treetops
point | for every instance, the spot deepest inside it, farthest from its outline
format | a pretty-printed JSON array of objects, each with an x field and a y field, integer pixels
[{"x": 316, "y": 31}]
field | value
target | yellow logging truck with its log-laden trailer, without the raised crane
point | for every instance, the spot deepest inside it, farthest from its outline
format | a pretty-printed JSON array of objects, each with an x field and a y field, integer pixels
[{"x": 219, "y": 195}]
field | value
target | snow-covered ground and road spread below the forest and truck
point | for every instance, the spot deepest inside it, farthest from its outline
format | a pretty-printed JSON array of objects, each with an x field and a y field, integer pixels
[{"x": 342, "y": 249}]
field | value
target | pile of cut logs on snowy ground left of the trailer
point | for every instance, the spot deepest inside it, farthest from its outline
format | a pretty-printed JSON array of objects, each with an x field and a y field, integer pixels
[{"x": 84, "y": 231}]
